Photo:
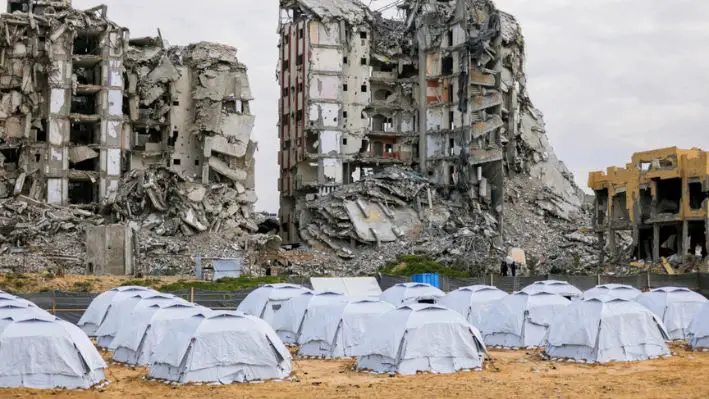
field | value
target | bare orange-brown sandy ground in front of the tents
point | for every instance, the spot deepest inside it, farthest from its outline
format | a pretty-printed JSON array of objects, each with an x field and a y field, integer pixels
[{"x": 519, "y": 374}]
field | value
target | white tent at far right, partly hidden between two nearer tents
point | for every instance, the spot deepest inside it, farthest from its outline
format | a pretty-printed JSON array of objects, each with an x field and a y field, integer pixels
[{"x": 675, "y": 306}]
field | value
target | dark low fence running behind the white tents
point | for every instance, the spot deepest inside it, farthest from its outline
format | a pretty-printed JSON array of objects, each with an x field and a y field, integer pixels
[{"x": 70, "y": 306}]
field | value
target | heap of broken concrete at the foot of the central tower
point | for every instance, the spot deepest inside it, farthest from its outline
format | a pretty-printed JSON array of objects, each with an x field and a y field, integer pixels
[{"x": 441, "y": 226}]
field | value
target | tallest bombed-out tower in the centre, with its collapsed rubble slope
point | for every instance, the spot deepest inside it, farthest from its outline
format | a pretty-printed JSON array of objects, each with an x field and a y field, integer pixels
[{"x": 440, "y": 92}]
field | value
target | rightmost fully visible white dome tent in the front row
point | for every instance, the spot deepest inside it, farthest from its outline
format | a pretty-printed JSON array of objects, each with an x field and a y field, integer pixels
[{"x": 605, "y": 329}]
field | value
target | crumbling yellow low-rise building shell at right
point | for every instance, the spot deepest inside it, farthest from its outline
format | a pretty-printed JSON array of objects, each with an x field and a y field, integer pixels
[{"x": 661, "y": 197}]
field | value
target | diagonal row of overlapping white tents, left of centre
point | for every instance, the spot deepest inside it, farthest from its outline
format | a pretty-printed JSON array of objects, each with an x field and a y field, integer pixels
[{"x": 183, "y": 342}]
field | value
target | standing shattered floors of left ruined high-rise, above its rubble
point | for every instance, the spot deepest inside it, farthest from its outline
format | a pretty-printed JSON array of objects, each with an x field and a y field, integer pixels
[{"x": 82, "y": 104}]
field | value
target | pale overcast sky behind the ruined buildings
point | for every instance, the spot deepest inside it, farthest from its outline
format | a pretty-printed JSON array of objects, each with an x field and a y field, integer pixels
[{"x": 611, "y": 76}]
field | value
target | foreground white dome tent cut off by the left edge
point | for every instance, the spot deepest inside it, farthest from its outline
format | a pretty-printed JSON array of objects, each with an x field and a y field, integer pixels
[{"x": 45, "y": 352}]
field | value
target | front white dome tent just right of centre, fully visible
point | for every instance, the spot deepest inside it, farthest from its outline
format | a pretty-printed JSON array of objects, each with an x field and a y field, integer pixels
[{"x": 420, "y": 337}]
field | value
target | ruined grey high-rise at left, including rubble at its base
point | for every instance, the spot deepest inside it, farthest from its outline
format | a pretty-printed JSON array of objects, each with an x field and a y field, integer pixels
[{"x": 143, "y": 133}]
